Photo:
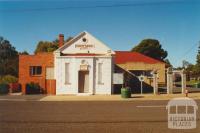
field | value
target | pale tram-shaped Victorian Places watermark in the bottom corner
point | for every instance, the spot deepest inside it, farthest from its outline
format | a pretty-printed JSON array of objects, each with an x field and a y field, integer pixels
[{"x": 182, "y": 113}]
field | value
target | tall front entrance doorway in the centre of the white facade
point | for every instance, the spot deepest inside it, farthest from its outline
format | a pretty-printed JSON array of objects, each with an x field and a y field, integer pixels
[{"x": 83, "y": 82}]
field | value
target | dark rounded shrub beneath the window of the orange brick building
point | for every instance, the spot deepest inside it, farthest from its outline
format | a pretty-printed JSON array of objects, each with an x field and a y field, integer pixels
[{"x": 33, "y": 88}]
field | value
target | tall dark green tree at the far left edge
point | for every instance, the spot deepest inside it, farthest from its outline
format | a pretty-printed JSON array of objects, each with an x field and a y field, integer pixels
[{"x": 8, "y": 58}]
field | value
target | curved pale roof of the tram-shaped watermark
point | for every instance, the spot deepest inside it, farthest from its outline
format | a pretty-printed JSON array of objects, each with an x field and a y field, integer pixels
[{"x": 183, "y": 101}]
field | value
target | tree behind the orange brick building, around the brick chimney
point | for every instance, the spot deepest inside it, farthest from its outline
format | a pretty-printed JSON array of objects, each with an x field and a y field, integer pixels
[{"x": 47, "y": 46}]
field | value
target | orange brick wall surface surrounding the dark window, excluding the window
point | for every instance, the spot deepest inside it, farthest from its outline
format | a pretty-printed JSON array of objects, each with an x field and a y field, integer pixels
[{"x": 25, "y": 61}]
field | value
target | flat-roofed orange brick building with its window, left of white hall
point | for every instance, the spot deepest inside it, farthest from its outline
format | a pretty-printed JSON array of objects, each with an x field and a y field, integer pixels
[{"x": 34, "y": 68}]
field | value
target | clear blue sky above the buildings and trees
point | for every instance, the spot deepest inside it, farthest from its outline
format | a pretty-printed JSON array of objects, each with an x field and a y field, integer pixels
[{"x": 175, "y": 23}]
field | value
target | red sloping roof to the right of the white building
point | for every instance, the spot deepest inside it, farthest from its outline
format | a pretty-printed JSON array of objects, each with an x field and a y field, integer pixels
[{"x": 122, "y": 57}]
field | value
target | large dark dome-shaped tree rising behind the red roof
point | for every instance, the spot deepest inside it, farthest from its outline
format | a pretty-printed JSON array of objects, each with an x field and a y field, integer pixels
[{"x": 151, "y": 48}]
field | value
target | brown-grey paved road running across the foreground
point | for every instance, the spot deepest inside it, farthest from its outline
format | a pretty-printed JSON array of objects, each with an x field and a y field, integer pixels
[{"x": 86, "y": 117}]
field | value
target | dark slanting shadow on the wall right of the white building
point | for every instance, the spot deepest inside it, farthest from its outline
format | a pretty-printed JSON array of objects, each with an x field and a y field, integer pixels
[{"x": 132, "y": 82}]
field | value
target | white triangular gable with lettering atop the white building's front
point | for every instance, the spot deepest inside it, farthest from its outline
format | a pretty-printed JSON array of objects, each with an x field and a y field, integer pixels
[{"x": 91, "y": 46}]
